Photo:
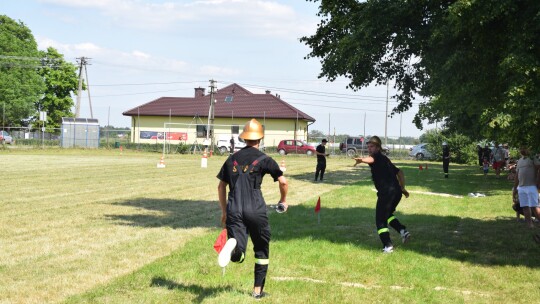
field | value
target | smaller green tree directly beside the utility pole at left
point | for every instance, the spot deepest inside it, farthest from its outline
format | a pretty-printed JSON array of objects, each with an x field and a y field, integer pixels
[{"x": 61, "y": 80}]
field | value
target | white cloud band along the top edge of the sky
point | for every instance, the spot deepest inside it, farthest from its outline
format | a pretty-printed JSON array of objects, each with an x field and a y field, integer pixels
[{"x": 252, "y": 18}]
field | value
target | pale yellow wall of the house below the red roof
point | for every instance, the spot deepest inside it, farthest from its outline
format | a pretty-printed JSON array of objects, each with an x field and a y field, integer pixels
[{"x": 275, "y": 129}]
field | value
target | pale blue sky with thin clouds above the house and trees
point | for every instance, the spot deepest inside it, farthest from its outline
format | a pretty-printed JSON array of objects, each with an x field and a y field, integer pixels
[{"x": 141, "y": 50}]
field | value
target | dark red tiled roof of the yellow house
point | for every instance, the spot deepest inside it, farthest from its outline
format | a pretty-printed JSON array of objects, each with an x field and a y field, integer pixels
[{"x": 244, "y": 104}]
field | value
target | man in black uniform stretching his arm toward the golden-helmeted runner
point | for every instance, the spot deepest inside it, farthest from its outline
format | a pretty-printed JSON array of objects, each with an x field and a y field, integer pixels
[{"x": 390, "y": 184}]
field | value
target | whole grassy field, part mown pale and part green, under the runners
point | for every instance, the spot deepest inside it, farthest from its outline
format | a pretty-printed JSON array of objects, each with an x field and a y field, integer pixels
[{"x": 82, "y": 226}]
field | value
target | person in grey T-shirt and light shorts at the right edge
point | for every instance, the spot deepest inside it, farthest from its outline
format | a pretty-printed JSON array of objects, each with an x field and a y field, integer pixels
[{"x": 525, "y": 185}]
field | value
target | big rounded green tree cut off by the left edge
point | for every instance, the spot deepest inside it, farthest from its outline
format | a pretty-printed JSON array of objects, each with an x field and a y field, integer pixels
[{"x": 20, "y": 84}]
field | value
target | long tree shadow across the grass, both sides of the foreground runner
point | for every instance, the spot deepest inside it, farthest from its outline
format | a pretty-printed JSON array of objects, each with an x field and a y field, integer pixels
[{"x": 498, "y": 241}]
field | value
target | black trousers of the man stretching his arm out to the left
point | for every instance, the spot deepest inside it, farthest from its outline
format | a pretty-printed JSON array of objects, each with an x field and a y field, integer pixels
[{"x": 387, "y": 202}]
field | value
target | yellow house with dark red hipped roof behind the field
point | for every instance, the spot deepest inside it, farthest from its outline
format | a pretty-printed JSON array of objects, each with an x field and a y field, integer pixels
[{"x": 185, "y": 119}]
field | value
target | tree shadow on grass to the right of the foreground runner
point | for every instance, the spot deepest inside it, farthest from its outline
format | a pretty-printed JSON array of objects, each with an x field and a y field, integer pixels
[{"x": 500, "y": 241}]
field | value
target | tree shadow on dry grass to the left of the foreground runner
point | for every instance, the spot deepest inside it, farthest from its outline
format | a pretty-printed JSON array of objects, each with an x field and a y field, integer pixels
[{"x": 169, "y": 213}]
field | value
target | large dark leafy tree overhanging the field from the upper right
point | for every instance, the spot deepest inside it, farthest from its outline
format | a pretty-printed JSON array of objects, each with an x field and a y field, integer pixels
[{"x": 475, "y": 62}]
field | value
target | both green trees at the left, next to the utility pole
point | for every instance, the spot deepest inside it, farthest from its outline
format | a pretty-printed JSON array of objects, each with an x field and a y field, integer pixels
[{"x": 32, "y": 80}]
